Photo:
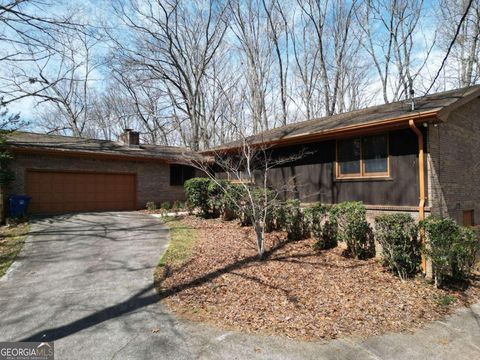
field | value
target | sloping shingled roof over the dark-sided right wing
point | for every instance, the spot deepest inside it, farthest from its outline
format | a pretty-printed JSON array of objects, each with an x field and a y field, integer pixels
[{"x": 430, "y": 105}]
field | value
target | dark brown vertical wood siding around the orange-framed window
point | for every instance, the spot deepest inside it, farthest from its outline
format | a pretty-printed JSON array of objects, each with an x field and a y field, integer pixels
[{"x": 313, "y": 178}]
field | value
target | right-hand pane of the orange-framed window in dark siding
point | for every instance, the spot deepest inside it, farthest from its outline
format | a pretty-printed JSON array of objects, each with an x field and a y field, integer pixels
[{"x": 375, "y": 154}]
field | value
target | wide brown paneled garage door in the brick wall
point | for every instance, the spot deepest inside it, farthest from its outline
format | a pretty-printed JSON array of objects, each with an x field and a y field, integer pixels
[{"x": 62, "y": 192}]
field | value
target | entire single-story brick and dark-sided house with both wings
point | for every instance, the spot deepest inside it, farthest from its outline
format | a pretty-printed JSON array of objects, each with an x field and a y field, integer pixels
[{"x": 421, "y": 158}]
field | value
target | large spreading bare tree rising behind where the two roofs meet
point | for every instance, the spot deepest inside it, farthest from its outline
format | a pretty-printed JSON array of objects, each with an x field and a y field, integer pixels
[{"x": 172, "y": 45}]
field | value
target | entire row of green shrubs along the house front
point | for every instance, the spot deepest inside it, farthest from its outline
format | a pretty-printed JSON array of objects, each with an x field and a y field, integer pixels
[{"x": 451, "y": 248}]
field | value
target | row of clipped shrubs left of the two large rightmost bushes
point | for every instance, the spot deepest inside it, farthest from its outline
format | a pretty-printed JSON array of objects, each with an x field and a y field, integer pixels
[{"x": 329, "y": 225}]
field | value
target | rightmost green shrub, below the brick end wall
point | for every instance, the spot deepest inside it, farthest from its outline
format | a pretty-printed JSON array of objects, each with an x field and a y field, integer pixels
[{"x": 451, "y": 247}]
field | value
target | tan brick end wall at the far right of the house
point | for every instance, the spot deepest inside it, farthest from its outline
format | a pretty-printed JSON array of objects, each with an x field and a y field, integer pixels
[{"x": 454, "y": 163}]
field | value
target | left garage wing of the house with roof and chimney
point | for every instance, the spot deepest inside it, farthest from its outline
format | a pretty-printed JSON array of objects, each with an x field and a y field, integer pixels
[{"x": 66, "y": 174}]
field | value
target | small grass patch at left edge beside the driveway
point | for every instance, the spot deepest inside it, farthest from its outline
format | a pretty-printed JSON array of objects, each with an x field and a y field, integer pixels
[{"x": 11, "y": 242}]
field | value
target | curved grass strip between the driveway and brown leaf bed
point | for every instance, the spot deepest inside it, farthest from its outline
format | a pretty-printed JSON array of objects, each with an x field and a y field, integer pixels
[{"x": 182, "y": 239}]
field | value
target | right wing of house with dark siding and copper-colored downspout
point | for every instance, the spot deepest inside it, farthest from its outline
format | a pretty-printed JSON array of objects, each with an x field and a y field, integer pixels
[{"x": 420, "y": 156}]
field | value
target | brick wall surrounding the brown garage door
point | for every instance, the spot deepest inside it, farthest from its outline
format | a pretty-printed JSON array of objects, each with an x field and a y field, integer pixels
[{"x": 153, "y": 179}]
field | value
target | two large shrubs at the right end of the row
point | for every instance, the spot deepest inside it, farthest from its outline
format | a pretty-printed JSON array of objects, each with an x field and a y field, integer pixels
[{"x": 451, "y": 248}]
